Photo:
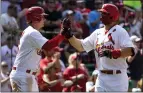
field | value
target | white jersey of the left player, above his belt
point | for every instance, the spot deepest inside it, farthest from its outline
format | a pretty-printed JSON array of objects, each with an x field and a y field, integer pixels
[{"x": 31, "y": 42}]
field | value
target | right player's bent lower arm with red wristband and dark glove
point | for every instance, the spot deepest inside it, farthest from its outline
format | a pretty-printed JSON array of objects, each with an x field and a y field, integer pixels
[{"x": 126, "y": 49}]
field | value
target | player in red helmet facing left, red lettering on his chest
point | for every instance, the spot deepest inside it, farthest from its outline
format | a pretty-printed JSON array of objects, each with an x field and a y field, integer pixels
[{"x": 111, "y": 44}]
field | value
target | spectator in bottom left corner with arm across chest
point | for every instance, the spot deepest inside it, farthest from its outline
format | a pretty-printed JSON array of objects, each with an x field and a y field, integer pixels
[{"x": 5, "y": 83}]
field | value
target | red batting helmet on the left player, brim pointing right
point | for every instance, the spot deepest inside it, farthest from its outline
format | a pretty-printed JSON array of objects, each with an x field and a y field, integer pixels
[{"x": 35, "y": 14}]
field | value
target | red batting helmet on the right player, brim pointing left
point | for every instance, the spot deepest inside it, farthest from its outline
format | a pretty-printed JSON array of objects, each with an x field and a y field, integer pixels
[{"x": 112, "y": 10}]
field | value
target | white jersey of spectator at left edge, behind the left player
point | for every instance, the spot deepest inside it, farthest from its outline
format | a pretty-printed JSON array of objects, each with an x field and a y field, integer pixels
[{"x": 8, "y": 55}]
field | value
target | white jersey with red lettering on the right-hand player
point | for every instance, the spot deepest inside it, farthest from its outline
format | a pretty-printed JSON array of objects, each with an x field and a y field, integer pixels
[{"x": 115, "y": 38}]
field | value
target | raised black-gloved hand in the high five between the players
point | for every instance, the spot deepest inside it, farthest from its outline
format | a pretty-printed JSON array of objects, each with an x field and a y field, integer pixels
[{"x": 66, "y": 28}]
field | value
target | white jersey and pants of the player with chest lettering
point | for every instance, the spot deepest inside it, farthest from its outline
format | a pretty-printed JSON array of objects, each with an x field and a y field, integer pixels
[{"x": 115, "y": 38}]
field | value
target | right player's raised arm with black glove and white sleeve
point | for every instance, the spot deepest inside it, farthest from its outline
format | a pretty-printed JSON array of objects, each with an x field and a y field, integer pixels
[{"x": 79, "y": 44}]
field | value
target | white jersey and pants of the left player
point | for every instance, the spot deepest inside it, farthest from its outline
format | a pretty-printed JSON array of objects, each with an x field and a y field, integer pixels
[{"x": 27, "y": 60}]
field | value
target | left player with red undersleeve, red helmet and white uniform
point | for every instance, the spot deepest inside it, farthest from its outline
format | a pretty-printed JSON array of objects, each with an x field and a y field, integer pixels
[{"x": 32, "y": 43}]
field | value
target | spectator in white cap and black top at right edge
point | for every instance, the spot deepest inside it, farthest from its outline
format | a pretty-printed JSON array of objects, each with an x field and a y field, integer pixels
[{"x": 135, "y": 62}]
